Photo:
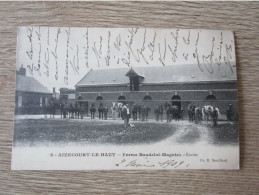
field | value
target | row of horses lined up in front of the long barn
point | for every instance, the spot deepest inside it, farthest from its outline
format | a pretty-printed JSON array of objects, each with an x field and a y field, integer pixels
[{"x": 196, "y": 114}]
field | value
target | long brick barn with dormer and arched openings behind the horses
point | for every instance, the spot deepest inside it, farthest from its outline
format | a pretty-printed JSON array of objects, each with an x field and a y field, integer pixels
[{"x": 180, "y": 85}]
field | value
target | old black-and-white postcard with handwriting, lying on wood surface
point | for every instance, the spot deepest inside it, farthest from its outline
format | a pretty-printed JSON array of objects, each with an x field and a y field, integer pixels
[{"x": 125, "y": 98}]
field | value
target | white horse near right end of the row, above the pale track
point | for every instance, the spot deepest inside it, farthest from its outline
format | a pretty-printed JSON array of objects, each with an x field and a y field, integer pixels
[{"x": 211, "y": 114}]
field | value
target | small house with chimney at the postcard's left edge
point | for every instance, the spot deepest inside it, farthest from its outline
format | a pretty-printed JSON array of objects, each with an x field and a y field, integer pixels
[{"x": 30, "y": 95}]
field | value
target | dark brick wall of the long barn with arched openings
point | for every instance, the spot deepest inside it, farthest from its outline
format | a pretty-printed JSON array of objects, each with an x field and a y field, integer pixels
[{"x": 194, "y": 93}]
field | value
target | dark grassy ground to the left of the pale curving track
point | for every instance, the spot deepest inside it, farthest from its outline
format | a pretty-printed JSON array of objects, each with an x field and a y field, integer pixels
[{"x": 46, "y": 132}]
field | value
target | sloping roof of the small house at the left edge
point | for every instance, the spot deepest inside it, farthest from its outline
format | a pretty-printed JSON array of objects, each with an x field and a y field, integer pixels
[{"x": 29, "y": 84}]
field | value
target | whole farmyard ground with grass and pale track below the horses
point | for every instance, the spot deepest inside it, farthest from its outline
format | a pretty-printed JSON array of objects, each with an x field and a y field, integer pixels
[{"x": 34, "y": 131}]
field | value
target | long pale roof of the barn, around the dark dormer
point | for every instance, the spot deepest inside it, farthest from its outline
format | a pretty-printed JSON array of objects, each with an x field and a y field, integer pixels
[{"x": 159, "y": 74}]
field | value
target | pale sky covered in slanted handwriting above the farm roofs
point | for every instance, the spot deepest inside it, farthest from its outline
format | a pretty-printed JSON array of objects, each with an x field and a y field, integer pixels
[{"x": 61, "y": 57}]
